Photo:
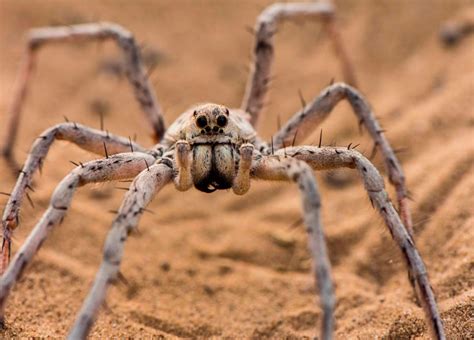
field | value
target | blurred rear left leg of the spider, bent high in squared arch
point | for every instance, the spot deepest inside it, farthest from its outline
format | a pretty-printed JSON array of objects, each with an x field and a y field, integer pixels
[{"x": 39, "y": 37}]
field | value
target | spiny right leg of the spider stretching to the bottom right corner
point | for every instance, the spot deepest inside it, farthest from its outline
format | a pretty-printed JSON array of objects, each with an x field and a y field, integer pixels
[{"x": 330, "y": 158}]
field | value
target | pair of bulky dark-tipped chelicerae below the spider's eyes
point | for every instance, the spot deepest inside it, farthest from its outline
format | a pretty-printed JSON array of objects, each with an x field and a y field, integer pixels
[{"x": 213, "y": 167}]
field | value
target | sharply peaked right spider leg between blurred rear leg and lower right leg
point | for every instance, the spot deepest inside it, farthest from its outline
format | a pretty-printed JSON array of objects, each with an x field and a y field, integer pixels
[{"x": 304, "y": 122}]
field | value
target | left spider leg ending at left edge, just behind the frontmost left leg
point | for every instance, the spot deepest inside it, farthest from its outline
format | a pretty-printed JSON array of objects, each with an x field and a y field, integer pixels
[{"x": 120, "y": 166}]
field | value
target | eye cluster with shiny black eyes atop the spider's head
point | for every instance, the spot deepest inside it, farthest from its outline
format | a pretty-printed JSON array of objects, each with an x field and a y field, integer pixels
[{"x": 211, "y": 119}]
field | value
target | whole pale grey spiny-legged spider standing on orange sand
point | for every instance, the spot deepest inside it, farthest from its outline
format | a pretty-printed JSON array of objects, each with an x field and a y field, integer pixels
[{"x": 210, "y": 147}]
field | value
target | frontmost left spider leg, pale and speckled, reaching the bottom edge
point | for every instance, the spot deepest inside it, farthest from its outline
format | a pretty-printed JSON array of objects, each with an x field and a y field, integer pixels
[{"x": 141, "y": 192}]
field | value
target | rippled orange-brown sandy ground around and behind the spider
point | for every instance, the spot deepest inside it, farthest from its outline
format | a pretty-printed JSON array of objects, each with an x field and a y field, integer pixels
[{"x": 225, "y": 266}]
